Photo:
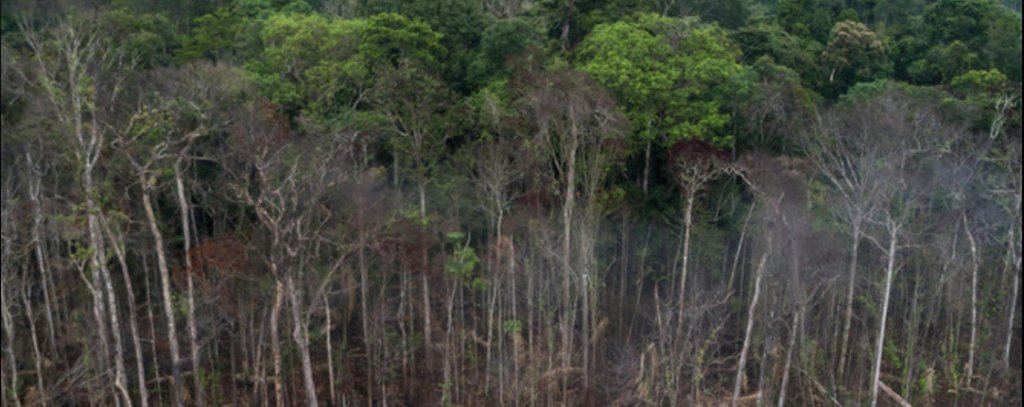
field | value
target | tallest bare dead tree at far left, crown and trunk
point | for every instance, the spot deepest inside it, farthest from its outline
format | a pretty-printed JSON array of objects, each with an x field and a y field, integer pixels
[{"x": 77, "y": 77}]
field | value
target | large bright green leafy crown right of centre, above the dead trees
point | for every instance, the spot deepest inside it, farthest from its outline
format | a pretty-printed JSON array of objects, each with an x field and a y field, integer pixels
[{"x": 671, "y": 75}]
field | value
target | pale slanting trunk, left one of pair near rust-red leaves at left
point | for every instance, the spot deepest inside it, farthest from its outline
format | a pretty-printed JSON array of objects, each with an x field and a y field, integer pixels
[{"x": 165, "y": 280}]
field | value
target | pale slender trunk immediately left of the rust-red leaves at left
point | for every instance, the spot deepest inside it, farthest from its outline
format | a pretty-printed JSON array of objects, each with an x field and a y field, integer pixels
[{"x": 186, "y": 211}]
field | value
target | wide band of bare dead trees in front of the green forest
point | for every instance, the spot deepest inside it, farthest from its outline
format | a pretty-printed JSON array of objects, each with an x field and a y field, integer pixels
[{"x": 169, "y": 238}]
